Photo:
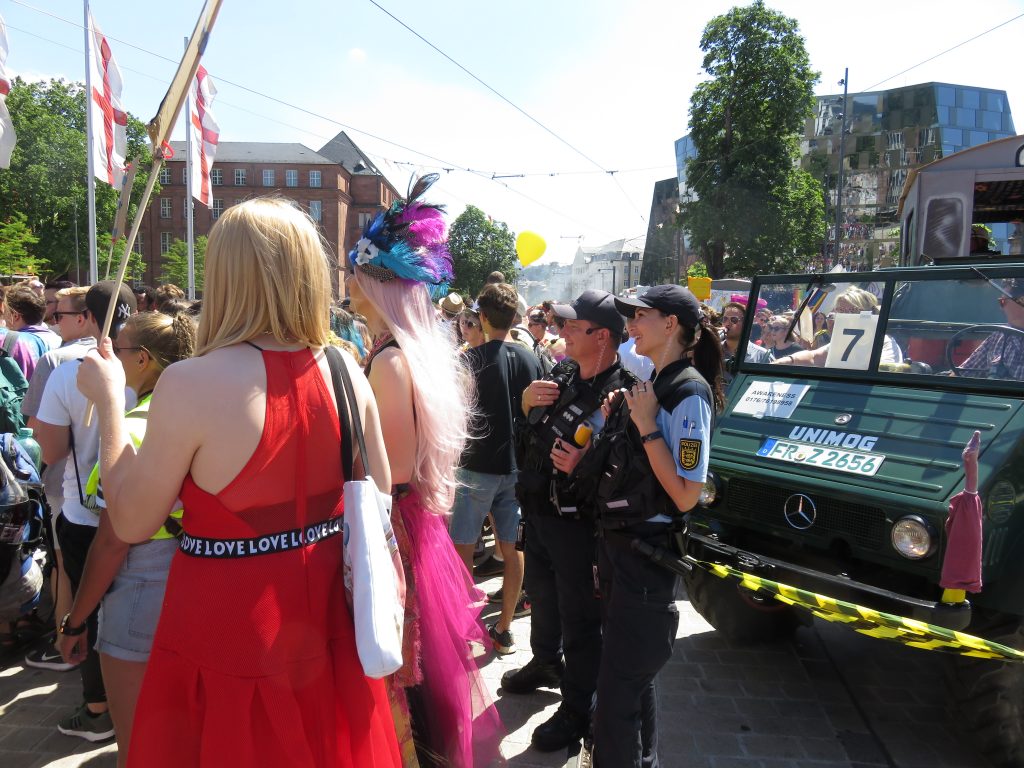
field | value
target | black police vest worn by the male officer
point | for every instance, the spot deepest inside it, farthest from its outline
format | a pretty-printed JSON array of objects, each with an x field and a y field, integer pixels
[{"x": 537, "y": 434}]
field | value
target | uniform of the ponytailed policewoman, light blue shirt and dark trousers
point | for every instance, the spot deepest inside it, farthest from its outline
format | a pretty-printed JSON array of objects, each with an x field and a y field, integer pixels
[{"x": 641, "y": 616}]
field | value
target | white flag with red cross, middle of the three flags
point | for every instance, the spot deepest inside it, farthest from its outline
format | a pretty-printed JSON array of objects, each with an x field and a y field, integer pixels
[{"x": 109, "y": 120}]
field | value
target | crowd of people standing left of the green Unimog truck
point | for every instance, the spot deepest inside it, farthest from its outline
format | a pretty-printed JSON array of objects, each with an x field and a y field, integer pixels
[{"x": 573, "y": 431}]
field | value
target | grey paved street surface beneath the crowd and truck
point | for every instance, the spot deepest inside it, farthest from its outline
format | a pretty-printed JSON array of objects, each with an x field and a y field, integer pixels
[{"x": 830, "y": 699}]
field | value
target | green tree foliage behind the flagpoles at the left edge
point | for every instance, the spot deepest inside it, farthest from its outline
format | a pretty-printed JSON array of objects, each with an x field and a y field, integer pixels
[{"x": 47, "y": 182}]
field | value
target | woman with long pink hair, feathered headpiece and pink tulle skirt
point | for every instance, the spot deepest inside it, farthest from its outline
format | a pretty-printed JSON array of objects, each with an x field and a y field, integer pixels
[{"x": 424, "y": 394}]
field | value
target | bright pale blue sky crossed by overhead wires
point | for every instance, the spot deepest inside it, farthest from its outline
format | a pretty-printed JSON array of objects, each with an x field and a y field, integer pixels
[{"x": 611, "y": 78}]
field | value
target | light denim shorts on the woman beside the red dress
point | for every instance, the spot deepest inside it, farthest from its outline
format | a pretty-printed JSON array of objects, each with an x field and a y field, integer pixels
[{"x": 131, "y": 610}]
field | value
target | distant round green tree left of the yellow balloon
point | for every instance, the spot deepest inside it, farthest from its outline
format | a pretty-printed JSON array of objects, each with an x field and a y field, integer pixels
[{"x": 480, "y": 246}]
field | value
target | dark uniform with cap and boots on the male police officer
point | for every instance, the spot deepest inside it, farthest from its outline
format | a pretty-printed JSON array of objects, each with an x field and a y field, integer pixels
[{"x": 560, "y": 550}]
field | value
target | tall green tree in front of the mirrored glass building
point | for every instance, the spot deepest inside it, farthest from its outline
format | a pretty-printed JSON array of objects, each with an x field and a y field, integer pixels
[{"x": 755, "y": 211}]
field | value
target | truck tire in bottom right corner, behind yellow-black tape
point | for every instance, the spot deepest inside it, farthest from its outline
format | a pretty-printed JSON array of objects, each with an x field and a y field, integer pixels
[{"x": 989, "y": 697}]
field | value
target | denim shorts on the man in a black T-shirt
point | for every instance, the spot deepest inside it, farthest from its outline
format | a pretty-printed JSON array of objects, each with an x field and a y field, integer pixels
[{"x": 479, "y": 494}]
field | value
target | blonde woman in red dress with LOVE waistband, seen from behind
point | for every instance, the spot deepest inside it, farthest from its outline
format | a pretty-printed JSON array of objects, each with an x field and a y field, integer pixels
[{"x": 254, "y": 662}]
